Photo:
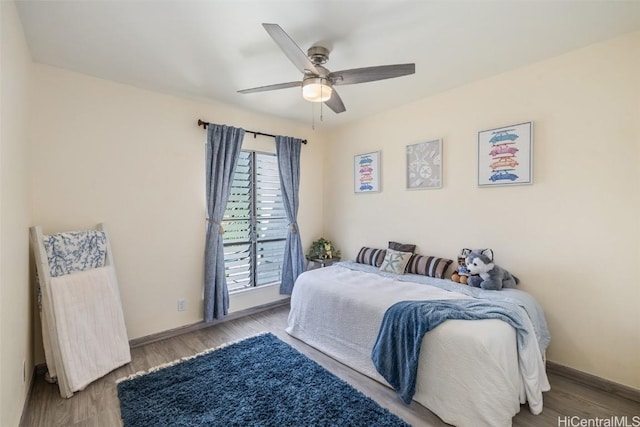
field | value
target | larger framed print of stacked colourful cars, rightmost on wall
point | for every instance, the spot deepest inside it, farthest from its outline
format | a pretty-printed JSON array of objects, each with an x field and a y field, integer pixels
[{"x": 505, "y": 155}]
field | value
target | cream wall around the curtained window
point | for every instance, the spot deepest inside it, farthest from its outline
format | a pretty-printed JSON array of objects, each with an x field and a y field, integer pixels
[{"x": 134, "y": 159}]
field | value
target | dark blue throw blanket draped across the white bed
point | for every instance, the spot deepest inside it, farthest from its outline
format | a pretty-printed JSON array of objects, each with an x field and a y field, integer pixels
[{"x": 397, "y": 348}]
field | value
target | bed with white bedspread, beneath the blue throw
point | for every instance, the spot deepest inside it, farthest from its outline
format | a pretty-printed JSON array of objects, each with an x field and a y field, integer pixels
[{"x": 470, "y": 373}]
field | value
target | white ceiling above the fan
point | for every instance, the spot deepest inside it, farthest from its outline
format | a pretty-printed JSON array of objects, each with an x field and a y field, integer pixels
[{"x": 211, "y": 49}]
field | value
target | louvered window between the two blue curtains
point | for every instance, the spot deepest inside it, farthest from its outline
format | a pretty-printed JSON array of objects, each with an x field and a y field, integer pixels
[{"x": 255, "y": 223}]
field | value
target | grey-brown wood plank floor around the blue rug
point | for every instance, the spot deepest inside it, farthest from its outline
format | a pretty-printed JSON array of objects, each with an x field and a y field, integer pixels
[{"x": 98, "y": 404}]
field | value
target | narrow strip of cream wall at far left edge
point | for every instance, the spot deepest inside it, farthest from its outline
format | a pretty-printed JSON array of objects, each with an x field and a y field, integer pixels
[{"x": 16, "y": 345}]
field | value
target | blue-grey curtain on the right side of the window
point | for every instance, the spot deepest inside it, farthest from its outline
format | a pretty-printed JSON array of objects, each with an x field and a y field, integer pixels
[{"x": 288, "y": 150}]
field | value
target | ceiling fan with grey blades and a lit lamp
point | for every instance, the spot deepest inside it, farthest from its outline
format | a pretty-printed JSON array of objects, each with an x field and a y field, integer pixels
[{"x": 318, "y": 82}]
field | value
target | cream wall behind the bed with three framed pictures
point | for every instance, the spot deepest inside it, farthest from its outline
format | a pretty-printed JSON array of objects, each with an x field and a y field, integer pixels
[{"x": 572, "y": 237}]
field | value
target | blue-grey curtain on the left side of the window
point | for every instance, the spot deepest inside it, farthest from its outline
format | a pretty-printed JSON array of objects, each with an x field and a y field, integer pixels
[{"x": 223, "y": 150}]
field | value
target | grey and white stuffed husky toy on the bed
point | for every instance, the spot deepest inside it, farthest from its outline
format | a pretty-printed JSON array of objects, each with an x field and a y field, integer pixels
[{"x": 487, "y": 275}]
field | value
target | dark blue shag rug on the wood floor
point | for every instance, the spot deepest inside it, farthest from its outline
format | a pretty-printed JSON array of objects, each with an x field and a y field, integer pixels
[{"x": 260, "y": 381}]
